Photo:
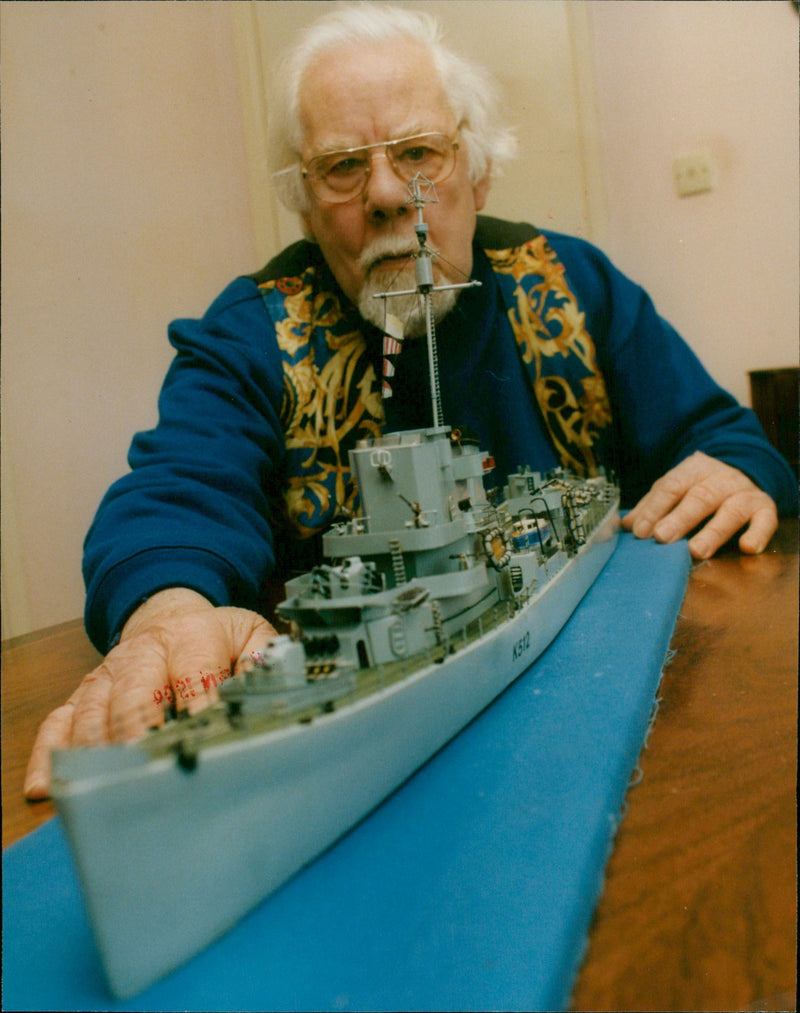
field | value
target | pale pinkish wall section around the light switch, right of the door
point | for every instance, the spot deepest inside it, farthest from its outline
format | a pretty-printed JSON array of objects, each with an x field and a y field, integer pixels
[{"x": 723, "y": 267}]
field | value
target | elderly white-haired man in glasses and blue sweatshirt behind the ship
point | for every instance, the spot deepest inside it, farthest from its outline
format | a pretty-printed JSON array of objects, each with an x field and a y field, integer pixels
[{"x": 555, "y": 359}]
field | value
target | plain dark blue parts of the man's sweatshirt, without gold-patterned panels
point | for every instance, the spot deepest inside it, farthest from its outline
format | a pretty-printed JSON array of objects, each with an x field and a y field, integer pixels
[{"x": 201, "y": 507}]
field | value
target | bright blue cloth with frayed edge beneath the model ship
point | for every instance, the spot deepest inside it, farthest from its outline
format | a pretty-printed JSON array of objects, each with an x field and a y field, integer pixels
[{"x": 471, "y": 888}]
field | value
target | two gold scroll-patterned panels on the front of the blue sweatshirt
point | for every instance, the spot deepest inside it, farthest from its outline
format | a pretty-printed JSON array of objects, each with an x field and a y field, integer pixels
[{"x": 332, "y": 397}]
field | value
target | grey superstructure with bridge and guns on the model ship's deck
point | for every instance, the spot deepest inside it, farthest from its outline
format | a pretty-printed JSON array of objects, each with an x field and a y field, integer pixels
[{"x": 432, "y": 563}]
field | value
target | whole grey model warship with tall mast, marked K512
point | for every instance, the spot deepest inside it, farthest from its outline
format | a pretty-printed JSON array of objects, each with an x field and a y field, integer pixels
[{"x": 433, "y": 600}]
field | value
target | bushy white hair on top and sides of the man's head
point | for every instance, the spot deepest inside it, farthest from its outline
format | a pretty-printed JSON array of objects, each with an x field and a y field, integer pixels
[{"x": 471, "y": 93}]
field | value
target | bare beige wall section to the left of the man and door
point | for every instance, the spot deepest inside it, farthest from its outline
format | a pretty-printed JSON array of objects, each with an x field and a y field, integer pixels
[{"x": 125, "y": 205}]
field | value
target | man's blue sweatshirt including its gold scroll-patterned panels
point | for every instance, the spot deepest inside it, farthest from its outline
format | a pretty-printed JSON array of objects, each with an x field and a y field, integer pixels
[{"x": 557, "y": 358}]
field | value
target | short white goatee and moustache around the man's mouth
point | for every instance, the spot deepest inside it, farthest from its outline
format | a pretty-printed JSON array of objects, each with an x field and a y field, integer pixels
[{"x": 386, "y": 278}]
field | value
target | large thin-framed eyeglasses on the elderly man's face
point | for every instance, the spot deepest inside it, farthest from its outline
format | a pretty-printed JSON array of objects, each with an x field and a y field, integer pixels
[{"x": 339, "y": 177}]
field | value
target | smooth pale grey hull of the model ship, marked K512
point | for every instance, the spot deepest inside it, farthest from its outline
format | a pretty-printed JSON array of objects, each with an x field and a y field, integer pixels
[{"x": 171, "y": 860}]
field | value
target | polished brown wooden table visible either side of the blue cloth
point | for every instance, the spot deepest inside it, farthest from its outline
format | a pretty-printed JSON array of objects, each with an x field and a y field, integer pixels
[{"x": 699, "y": 911}]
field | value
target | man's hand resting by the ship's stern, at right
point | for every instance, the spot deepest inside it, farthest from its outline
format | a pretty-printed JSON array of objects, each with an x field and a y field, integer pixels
[{"x": 701, "y": 488}]
